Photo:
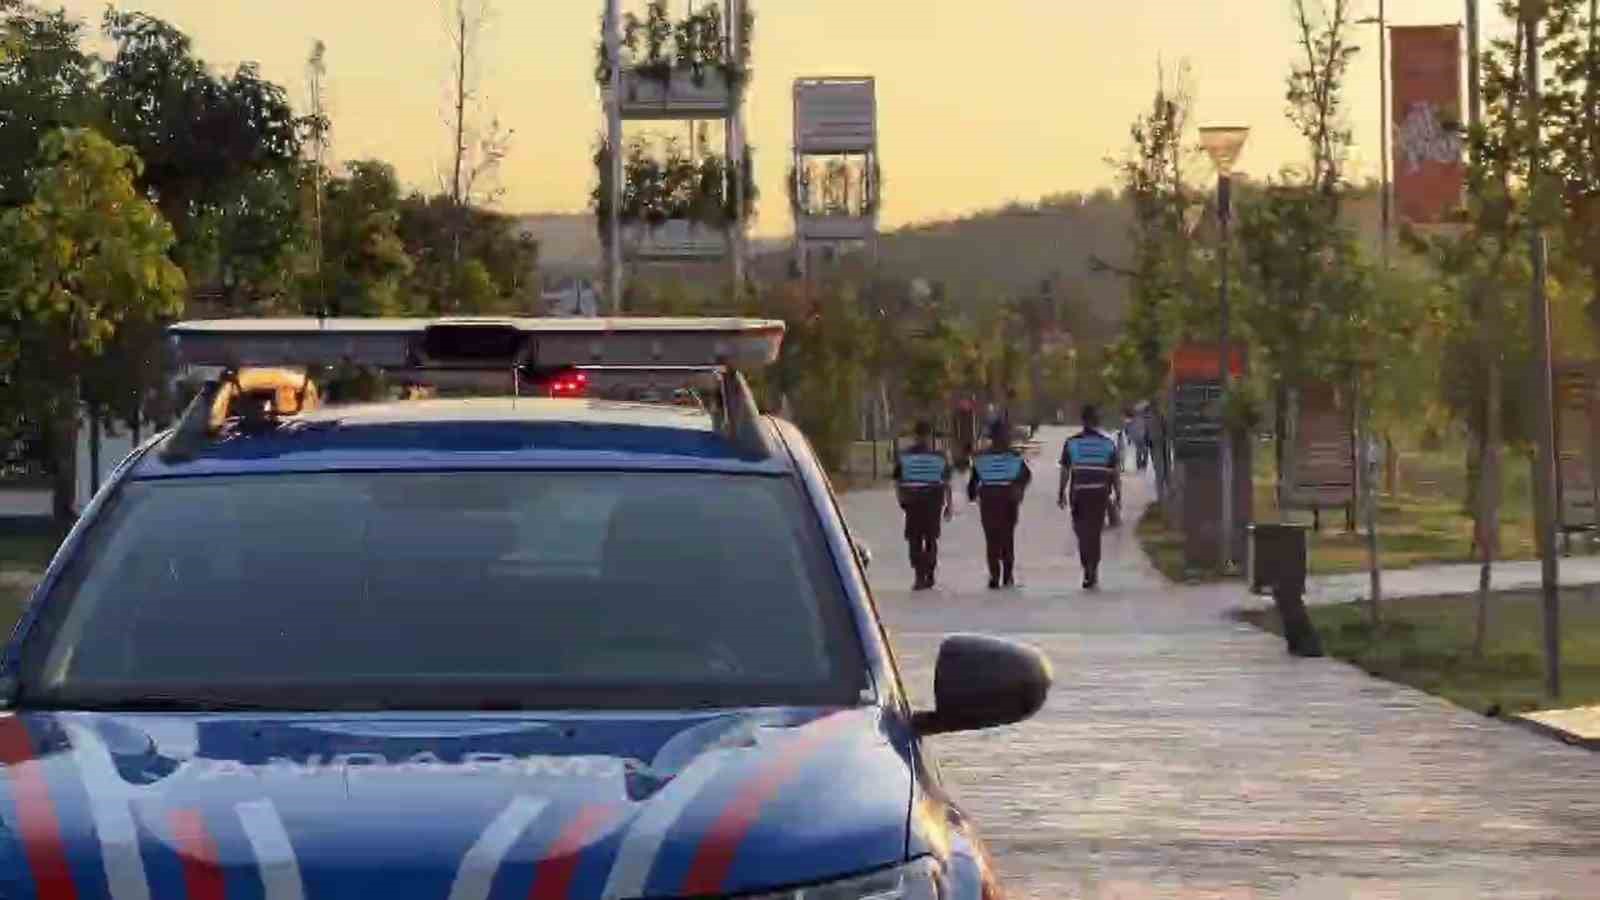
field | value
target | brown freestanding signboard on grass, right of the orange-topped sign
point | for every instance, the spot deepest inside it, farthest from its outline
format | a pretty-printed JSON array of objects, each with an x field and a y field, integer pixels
[{"x": 1319, "y": 467}]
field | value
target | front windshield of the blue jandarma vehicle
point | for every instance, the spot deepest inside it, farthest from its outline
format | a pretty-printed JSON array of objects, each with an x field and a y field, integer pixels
[{"x": 449, "y": 590}]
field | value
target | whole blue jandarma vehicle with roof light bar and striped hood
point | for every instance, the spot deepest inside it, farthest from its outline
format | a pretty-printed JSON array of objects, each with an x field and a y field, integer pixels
[{"x": 510, "y": 646}]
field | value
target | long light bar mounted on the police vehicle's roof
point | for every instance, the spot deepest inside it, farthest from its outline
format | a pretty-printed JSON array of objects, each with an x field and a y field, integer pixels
[{"x": 478, "y": 344}]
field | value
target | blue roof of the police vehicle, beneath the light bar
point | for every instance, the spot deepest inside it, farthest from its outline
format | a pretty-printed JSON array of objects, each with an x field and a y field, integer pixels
[{"x": 500, "y": 433}]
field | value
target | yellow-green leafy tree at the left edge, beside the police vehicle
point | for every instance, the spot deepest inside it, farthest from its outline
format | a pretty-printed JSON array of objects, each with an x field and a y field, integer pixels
[{"x": 87, "y": 259}]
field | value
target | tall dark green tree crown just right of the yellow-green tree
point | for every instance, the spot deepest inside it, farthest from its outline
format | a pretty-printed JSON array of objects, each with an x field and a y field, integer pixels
[{"x": 223, "y": 159}]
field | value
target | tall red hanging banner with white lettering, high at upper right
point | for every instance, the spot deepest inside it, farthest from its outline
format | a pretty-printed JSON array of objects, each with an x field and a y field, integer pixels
[{"x": 1426, "y": 106}]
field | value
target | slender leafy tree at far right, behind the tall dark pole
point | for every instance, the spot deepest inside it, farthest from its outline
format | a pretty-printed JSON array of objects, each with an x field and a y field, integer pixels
[{"x": 1489, "y": 347}]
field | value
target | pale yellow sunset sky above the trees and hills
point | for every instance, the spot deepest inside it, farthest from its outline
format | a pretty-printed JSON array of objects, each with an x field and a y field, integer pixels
[{"x": 982, "y": 102}]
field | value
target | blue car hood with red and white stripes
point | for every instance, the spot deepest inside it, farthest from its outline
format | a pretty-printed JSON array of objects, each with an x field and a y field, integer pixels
[{"x": 289, "y": 806}]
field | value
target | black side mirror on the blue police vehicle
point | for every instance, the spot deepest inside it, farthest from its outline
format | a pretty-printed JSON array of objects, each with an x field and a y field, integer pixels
[{"x": 985, "y": 683}]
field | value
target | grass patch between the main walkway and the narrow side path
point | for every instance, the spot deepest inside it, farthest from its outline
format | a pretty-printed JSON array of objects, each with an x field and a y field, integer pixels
[{"x": 1426, "y": 643}]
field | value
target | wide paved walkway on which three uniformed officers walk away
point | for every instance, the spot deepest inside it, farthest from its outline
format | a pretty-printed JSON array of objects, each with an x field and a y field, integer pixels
[{"x": 1185, "y": 755}]
